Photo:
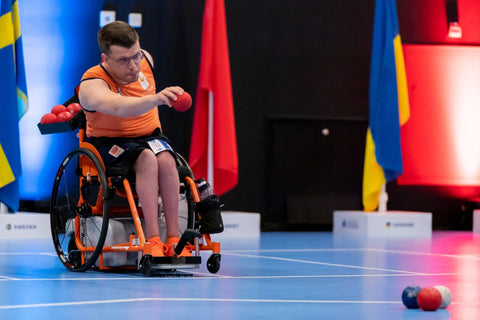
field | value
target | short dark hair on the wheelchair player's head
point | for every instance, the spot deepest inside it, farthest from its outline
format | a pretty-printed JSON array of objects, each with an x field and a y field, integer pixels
[{"x": 117, "y": 33}]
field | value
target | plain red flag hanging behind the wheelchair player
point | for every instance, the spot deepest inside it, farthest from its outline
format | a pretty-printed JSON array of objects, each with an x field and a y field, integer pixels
[{"x": 214, "y": 92}]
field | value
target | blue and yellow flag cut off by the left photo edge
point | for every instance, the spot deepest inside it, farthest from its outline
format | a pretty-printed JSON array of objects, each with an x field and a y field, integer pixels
[{"x": 13, "y": 101}]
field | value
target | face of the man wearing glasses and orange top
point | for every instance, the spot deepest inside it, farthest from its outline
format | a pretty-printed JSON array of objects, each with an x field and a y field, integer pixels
[{"x": 123, "y": 64}]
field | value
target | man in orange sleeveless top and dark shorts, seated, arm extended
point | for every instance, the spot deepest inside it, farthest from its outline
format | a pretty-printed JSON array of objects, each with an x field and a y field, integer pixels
[{"x": 120, "y": 103}]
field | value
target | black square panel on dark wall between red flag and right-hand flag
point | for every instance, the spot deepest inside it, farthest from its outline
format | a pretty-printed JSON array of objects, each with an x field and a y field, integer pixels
[{"x": 314, "y": 166}]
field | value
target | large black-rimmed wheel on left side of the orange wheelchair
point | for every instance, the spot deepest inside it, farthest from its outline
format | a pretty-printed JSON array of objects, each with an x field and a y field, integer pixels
[{"x": 79, "y": 210}]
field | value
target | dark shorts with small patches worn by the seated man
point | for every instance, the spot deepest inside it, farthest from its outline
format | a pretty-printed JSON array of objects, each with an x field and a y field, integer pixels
[{"x": 122, "y": 153}]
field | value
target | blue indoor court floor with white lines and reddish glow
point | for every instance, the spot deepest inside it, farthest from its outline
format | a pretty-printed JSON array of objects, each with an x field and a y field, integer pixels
[{"x": 307, "y": 275}]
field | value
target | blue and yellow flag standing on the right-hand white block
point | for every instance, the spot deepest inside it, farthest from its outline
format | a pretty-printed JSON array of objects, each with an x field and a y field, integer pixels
[{"x": 388, "y": 102}]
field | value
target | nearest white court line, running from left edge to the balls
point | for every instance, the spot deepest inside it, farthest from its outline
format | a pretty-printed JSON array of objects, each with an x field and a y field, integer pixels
[{"x": 81, "y": 303}]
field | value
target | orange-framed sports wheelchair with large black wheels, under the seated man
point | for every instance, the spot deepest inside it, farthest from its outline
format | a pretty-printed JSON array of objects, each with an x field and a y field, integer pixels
[{"x": 96, "y": 219}]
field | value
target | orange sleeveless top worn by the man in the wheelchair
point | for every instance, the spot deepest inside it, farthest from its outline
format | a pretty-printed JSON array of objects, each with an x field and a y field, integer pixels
[{"x": 104, "y": 125}]
